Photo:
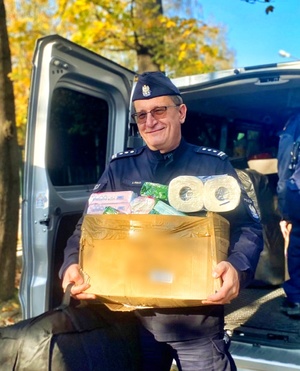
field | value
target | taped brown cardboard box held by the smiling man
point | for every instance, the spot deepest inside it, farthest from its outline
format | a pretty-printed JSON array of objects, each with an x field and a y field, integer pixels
[{"x": 153, "y": 260}]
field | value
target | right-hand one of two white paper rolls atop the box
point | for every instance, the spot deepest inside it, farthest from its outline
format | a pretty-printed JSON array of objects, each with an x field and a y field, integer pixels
[{"x": 221, "y": 193}]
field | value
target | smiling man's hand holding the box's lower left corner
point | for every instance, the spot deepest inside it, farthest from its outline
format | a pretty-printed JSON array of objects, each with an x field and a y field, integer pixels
[{"x": 74, "y": 274}]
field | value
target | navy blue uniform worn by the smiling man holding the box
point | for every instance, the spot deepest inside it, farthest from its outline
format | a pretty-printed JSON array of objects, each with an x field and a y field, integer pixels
[{"x": 128, "y": 171}]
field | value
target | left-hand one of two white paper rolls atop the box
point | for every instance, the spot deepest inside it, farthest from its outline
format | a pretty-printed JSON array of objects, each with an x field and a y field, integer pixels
[{"x": 185, "y": 193}]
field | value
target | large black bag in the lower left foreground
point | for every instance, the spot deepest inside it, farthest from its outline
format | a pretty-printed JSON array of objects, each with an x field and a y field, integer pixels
[{"x": 84, "y": 337}]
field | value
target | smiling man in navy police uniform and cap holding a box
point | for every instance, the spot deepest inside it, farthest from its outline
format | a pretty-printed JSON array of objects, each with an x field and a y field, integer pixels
[{"x": 192, "y": 336}]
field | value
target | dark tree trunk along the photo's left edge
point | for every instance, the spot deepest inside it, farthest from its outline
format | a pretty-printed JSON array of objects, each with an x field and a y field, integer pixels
[{"x": 9, "y": 168}]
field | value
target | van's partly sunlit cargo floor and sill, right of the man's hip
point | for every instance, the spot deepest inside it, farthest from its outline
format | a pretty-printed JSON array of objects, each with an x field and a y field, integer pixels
[{"x": 255, "y": 317}]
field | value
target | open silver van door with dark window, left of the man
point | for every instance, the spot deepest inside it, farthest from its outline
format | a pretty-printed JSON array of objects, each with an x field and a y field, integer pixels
[{"x": 78, "y": 117}]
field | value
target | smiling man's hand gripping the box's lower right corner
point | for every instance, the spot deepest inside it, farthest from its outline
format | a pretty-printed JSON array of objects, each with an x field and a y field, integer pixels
[{"x": 230, "y": 286}]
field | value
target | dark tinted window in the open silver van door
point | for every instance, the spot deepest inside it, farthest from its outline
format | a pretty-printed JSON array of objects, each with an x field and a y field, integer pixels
[{"x": 77, "y": 138}]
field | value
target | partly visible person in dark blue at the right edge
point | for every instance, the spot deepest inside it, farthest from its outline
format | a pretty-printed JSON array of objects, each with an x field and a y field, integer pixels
[{"x": 288, "y": 204}]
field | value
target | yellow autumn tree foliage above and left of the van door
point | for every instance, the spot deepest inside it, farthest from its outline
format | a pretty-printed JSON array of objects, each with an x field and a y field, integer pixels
[{"x": 140, "y": 35}]
